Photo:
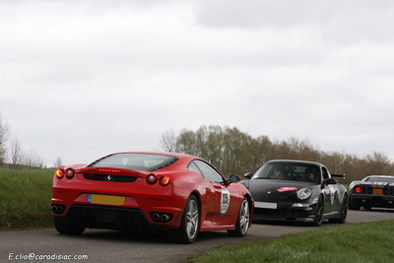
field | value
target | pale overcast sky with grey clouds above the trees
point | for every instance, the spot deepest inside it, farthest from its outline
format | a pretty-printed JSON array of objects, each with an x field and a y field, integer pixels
[{"x": 82, "y": 79}]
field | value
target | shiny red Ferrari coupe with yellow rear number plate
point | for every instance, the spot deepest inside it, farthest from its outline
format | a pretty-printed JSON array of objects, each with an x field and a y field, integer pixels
[{"x": 150, "y": 192}]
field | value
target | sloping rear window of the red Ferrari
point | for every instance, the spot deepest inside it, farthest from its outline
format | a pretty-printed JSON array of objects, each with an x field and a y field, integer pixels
[{"x": 136, "y": 161}]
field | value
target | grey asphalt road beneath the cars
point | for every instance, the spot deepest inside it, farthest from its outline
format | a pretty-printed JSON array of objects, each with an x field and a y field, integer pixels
[{"x": 114, "y": 246}]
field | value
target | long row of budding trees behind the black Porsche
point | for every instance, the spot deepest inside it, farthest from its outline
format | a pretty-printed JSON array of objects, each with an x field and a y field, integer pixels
[{"x": 234, "y": 151}]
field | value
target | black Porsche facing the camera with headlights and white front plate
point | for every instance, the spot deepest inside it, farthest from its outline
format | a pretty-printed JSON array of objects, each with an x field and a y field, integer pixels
[{"x": 297, "y": 190}]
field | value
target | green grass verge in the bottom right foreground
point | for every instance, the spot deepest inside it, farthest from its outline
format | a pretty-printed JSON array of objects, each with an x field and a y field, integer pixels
[{"x": 366, "y": 242}]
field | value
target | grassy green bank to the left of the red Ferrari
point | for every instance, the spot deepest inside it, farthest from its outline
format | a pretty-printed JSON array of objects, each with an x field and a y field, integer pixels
[{"x": 25, "y": 198}]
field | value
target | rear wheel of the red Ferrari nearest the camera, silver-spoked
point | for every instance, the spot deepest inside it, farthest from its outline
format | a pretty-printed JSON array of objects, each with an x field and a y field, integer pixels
[{"x": 188, "y": 231}]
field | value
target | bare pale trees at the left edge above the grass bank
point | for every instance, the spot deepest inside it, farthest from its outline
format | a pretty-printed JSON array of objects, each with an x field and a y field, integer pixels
[{"x": 11, "y": 152}]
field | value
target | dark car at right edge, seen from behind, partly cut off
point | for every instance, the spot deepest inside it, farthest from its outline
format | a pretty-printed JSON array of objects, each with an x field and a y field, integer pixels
[{"x": 372, "y": 191}]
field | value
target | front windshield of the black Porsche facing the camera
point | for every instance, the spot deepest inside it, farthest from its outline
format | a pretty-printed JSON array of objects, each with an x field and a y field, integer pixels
[{"x": 289, "y": 171}]
